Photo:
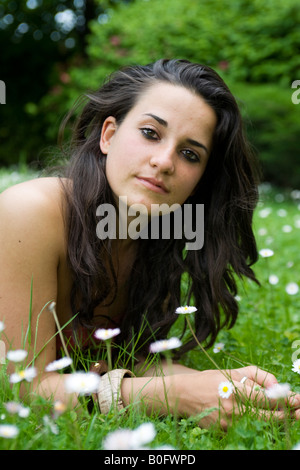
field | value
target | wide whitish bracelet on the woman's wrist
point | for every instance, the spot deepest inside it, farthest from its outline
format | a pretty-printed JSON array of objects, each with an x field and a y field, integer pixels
[{"x": 109, "y": 392}]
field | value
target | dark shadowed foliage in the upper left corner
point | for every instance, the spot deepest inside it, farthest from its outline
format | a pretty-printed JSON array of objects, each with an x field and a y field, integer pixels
[{"x": 39, "y": 40}]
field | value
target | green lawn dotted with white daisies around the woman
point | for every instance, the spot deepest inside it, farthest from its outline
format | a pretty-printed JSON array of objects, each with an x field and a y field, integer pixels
[{"x": 267, "y": 334}]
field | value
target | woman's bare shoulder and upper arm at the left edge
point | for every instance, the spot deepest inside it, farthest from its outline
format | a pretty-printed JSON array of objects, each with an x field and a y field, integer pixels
[{"x": 30, "y": 245}]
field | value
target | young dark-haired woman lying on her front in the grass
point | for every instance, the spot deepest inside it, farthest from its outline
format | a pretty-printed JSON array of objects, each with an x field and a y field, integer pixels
[{"x": 167, "y": 133}]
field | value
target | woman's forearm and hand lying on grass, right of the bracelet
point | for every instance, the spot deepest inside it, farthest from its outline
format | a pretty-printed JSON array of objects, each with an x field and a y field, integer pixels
[{"x": 188, "y": 392}]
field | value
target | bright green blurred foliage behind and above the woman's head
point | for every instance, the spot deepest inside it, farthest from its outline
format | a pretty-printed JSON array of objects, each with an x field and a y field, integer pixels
[{"x": 254, "y": 45}]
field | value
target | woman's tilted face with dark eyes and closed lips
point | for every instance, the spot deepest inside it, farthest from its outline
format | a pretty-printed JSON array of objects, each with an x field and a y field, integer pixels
[{"x": 160, "y": 150}]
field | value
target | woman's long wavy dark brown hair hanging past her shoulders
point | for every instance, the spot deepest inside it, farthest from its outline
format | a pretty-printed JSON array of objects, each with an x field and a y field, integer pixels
[{"x": 228, "y": 190}]
